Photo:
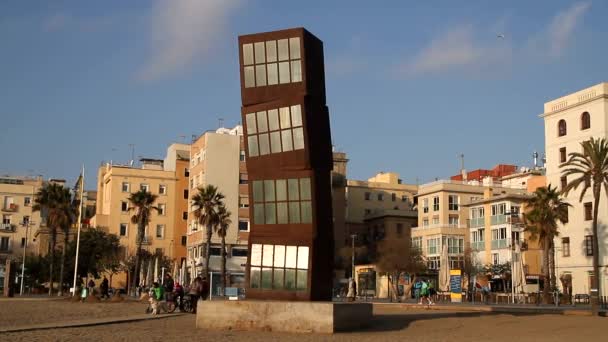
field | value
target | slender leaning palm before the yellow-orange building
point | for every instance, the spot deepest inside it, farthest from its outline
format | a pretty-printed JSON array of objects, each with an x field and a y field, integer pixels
[{"x": 142, "y": 204}]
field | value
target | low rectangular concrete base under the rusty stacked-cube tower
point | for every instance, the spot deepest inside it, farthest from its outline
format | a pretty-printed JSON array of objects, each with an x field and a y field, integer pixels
[{"x": 294, "y": 317}]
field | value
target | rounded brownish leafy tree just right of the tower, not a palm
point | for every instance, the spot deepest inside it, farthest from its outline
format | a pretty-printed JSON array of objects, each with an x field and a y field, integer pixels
[{"x": 396, "y": 257}]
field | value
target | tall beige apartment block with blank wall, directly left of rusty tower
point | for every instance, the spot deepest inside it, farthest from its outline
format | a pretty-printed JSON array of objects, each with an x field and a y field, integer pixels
[{"x": 218, "y": 158}]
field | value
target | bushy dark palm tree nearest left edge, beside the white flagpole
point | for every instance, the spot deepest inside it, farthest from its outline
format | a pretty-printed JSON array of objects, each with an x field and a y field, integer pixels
[{"x": 50, "y": 201}]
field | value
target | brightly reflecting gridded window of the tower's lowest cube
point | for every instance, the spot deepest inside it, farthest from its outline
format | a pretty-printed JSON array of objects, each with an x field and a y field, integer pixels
[{"x": 279, "y": 267}]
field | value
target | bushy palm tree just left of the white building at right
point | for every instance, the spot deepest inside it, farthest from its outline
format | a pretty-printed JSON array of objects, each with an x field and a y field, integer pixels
[{"x": 545, "y": 209}]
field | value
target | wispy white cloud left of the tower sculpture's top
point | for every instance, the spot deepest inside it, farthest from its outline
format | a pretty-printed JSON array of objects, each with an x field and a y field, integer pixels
[{"x": 183, "y": 31}]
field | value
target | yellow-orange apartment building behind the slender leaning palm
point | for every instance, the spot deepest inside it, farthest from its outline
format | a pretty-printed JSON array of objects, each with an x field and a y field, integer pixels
[{"x": 166, "y": 231}]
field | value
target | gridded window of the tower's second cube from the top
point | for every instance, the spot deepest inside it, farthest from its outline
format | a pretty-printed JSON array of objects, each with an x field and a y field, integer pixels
[{"x": 275, "y": 131}]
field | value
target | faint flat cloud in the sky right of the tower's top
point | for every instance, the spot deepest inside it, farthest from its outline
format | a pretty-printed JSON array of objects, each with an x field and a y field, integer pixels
[{"x": 457, "y": 48}]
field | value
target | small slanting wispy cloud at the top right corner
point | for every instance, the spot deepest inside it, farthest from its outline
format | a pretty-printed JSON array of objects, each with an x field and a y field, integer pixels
[{"x": 562, "y": 27}]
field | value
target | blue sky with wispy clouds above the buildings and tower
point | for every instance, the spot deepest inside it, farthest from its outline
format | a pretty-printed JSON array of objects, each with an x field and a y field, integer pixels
[{"x": 411, "y": 85}]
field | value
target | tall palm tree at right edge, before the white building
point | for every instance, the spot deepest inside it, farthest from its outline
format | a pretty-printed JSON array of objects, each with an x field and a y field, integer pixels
[{"x": 591, "y": 171}]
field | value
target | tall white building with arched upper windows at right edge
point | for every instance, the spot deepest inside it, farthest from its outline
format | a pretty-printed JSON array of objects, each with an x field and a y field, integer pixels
[{"x": 570, "y": 120}]
